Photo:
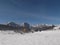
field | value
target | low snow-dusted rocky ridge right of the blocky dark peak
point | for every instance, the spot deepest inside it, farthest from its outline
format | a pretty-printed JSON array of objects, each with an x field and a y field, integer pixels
[{"x": 42, "y": 27}]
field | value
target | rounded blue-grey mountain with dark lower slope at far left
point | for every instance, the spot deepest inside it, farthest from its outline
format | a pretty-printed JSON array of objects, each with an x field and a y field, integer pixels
[{"x": 10, "y": 26}]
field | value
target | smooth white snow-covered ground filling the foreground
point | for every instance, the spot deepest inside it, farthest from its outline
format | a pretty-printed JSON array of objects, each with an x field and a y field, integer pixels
[{"x": 37, "y": 38}]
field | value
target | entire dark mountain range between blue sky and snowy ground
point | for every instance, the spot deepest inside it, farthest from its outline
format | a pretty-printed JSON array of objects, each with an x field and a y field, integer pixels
[{"x": 25, "y": 27}]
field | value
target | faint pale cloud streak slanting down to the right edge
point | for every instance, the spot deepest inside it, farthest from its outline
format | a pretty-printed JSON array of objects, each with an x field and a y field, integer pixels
[{"x": 38, "y": 16}]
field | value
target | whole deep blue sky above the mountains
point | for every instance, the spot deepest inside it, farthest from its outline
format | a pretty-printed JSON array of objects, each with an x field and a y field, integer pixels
[{"x": 31, "y": 11}]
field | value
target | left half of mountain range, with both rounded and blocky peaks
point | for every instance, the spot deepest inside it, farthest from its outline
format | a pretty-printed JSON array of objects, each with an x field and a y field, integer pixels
[{"x": 15, "y": 27}]
